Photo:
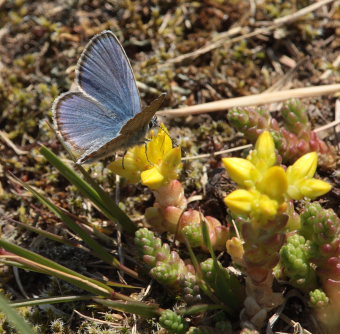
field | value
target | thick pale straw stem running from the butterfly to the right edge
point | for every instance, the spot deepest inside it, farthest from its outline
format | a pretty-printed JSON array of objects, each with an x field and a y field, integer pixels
[{"x": 253, "y": 100}]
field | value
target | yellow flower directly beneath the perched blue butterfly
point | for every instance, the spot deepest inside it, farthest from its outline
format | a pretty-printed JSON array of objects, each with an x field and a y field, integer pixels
[{"x": 154, "y": 164}]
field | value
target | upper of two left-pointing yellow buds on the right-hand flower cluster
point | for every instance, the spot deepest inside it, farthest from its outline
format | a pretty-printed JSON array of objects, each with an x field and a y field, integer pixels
[{"x": 242, "y": 171}]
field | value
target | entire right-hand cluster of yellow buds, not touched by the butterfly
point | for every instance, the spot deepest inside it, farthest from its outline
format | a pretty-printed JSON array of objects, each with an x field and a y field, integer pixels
[{"x": 268, "y": 187}]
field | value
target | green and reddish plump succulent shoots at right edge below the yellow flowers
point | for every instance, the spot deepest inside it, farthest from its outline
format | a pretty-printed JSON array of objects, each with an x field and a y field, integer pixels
[{"x": 312, "y": 256}]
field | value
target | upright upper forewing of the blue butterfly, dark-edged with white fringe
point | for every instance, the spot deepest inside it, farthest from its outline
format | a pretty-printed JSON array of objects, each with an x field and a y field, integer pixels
[{"x": 104, "y": 72}]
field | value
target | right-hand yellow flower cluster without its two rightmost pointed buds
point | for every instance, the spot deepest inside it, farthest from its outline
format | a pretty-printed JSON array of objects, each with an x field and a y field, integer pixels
[{"x": 266, "y": 184}]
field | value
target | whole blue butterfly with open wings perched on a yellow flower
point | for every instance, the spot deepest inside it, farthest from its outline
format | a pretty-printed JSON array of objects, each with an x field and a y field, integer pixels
[{"x": 105, "y": 115}]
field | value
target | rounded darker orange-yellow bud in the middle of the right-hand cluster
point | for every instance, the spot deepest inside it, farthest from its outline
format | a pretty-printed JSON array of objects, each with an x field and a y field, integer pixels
[{"x": 274, "y": 183}]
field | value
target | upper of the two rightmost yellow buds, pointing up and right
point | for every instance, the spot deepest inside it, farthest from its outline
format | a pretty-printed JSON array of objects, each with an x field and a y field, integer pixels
[{"x": 303, "y": 168}]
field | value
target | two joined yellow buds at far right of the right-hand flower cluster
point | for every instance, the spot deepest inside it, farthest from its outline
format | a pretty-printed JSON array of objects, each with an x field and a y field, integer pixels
[{"x": 300, "y": 178}]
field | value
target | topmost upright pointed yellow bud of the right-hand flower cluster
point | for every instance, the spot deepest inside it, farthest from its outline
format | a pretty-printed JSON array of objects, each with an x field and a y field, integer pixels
[{"x": 264, "y": 155}]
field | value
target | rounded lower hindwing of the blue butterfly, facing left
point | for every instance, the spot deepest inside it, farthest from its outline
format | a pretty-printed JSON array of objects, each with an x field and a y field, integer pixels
[{"x": 83, "y": 122}]
